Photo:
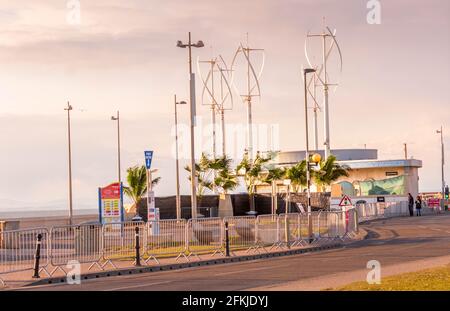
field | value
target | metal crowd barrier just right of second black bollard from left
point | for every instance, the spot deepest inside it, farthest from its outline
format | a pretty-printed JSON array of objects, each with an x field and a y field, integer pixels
[{"x": 165, "y": 238}]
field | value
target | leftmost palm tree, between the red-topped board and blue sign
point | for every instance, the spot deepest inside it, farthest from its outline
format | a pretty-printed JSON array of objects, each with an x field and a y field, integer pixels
[{"x": 137, "y": 183}]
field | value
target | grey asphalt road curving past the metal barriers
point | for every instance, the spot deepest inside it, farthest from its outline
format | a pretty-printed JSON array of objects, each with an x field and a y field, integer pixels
[{"x": 393, "y": 242}]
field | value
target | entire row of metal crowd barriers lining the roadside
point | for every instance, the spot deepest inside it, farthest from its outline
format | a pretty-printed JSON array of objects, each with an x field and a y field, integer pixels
[{"x": 99, "y": 245}]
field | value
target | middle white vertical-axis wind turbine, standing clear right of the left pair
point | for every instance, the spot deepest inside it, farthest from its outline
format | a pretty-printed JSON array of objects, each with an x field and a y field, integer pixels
[{"x": 253, "y": 89}]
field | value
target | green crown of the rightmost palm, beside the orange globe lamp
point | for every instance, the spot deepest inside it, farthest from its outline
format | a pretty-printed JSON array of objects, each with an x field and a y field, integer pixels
[{"x": 329, "y": 171}]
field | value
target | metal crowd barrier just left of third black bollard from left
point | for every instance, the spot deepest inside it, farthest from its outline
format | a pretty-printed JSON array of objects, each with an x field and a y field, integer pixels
[{"x": 204, "y": 235}]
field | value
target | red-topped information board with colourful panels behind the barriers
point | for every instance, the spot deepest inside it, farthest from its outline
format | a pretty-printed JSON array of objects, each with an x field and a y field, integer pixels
[{"x": 110, "y": 203}]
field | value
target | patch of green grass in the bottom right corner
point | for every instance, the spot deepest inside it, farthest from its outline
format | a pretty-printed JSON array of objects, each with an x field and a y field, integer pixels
[{"x": 436, "y": 279}]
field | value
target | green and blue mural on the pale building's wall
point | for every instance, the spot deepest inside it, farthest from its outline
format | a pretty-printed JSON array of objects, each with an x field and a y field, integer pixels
[{"x": 389, "y": 186}]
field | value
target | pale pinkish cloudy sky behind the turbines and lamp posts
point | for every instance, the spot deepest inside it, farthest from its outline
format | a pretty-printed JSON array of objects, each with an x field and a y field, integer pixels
[{"x": 122, "y": 55}]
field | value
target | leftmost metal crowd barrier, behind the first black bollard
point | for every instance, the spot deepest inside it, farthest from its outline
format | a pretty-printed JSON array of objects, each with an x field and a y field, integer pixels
[{"x": 18, "y": 248}]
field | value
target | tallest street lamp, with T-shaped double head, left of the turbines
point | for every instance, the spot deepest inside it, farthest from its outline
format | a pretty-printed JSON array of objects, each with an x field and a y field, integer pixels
[{"x": 189, "y": 45}]
